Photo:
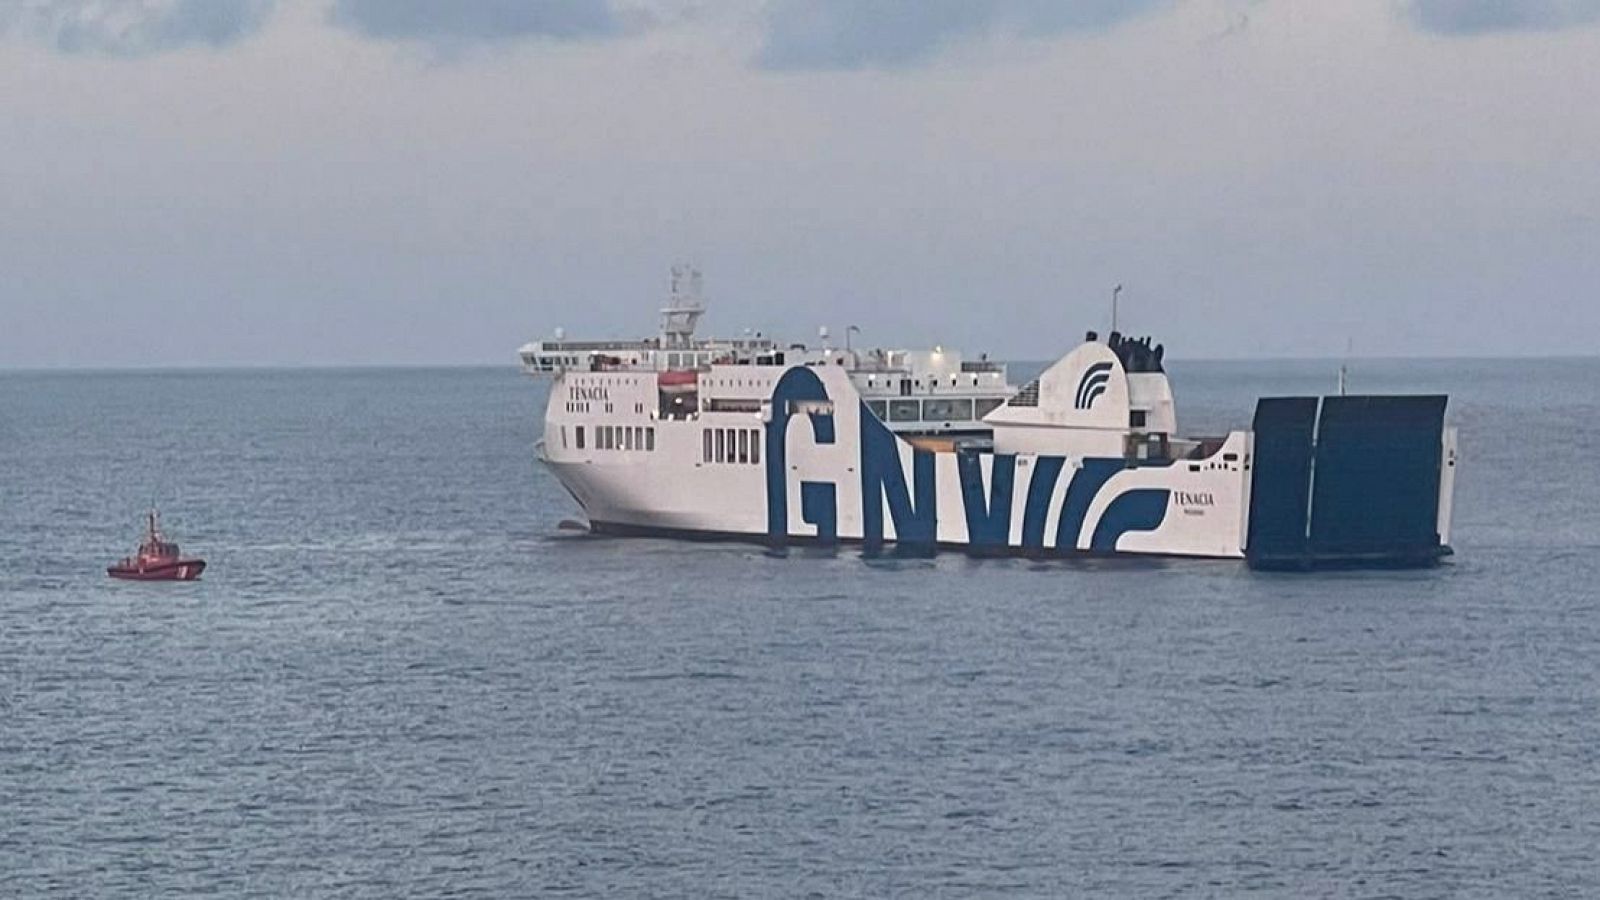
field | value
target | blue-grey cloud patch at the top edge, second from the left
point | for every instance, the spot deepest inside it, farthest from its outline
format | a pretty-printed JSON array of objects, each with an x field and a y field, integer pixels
[{"x": 454, "y": 23}]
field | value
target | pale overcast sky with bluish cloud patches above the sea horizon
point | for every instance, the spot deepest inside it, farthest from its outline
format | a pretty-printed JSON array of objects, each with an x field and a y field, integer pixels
[{"x": 412, "y": 182}]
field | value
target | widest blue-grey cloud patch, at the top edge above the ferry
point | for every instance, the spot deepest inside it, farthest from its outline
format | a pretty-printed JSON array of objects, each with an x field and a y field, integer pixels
[{"x": 854, "y": 34}]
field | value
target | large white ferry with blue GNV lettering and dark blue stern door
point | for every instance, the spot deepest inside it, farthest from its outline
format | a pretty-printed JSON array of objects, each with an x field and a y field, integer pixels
[{"x": 918, "y": 452}]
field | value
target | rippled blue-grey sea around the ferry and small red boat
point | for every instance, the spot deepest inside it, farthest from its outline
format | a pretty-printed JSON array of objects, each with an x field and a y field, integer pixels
[{"x": 402, "y": 678}]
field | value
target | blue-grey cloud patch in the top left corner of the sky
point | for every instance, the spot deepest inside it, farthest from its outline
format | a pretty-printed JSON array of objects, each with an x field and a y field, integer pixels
[{"x": 134, "y": 28}]
